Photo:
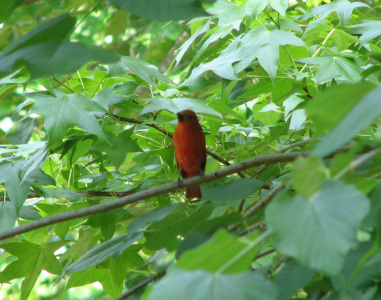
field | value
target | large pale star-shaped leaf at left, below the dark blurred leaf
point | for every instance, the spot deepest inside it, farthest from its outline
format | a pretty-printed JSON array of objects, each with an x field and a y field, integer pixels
[{"x": 64, "y": 111}]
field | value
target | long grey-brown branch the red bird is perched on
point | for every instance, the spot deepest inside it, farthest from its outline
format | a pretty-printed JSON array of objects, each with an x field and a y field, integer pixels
[{"x": 155, "y": 191}]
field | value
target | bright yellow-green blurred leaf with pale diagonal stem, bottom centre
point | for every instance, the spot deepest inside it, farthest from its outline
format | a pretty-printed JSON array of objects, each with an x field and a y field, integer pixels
[{"x": 235, "y": 258}]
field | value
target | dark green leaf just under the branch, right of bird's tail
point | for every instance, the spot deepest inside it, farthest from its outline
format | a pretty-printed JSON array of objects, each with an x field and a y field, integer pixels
[{"x": 221, "y": 194}]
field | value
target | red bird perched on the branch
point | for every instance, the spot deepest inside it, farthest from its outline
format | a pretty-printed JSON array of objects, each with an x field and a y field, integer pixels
[{"x": 190, "y": 150}]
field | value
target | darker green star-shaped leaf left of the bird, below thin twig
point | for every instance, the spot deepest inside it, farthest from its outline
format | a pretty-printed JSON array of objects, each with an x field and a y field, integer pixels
[{"x": 117, "y": 147}]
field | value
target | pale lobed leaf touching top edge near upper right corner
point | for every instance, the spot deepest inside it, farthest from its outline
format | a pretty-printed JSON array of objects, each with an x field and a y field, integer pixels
[{"x": 343, "y": 9}]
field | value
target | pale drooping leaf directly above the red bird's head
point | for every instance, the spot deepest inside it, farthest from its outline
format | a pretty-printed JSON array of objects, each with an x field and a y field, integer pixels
[{"x": 178, "y": 104}]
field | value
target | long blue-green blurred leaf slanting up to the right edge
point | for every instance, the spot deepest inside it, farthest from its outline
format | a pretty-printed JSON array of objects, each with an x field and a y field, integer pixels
[{"x": 363, "y": 113}]
